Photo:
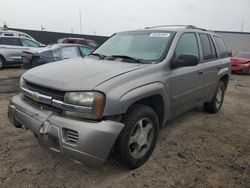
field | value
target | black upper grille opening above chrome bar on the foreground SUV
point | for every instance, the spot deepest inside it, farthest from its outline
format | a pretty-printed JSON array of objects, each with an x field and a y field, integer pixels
[{"x": 55, "y": 94}]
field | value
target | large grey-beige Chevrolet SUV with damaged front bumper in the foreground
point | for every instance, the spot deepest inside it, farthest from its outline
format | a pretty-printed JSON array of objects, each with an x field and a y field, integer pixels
[{"x": 119, "y": 97}]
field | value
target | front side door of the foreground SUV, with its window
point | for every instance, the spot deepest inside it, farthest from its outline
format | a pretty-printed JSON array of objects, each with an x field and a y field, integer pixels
[{"x": 187, "y": 83}]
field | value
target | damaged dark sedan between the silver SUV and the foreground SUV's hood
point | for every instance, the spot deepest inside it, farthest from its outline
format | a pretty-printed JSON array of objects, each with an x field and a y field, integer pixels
[{"x": 54, "y": 53}]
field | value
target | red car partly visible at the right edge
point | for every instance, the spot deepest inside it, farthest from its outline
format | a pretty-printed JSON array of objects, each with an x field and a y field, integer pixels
[{"x": 241, "y": 62}]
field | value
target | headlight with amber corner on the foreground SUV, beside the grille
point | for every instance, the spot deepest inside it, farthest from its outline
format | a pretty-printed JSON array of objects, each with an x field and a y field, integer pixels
[{"x": 95, "y": 100}]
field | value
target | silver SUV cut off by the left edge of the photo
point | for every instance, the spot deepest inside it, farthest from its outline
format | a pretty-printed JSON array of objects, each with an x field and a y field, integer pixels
[{"x": 11, "y": 49}]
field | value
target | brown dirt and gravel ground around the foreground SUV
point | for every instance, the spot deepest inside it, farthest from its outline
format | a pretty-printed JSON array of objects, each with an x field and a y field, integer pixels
[{"x": 194, "y": 150}]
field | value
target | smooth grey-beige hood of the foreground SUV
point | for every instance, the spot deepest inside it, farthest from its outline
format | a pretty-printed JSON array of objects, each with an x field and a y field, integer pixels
[{"x": 78, "y": 74}]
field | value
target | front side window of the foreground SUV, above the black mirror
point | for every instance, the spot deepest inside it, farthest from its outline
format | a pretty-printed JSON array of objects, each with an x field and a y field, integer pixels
[{"x": 187, "y": 45}]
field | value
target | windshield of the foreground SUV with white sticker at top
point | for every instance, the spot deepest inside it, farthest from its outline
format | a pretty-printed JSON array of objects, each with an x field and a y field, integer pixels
[{"x": 147, "y": 46}]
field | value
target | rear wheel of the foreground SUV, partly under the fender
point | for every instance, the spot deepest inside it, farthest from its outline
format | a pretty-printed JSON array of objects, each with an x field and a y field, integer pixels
[{"x": 215, "y": 105}]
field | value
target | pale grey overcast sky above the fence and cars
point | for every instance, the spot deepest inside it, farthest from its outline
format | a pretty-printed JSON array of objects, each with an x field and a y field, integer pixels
[{"x": 105, "y": 17}]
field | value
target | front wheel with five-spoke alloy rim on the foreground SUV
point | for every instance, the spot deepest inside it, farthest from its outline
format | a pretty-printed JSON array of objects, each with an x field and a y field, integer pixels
[{"x": 138, "y": 138}]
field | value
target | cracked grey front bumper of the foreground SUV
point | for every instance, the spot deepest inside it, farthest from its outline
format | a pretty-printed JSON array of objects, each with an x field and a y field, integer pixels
[{"x": 88, "y": 142}]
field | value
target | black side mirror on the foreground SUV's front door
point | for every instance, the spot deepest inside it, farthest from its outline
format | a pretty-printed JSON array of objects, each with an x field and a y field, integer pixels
[{"x": 185, "y": 60}]
